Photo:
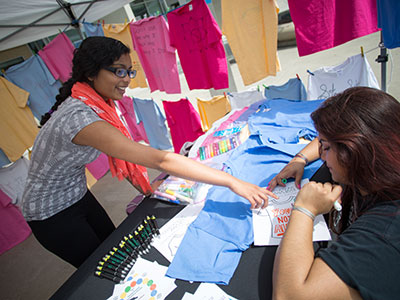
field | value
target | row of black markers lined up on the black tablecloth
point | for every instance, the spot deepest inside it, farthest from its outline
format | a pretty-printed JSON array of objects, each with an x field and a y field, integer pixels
[{"x": 116, "y": 264}]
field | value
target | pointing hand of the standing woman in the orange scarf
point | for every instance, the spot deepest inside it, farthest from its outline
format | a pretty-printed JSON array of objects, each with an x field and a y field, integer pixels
[{"x": 257, "y": 196}]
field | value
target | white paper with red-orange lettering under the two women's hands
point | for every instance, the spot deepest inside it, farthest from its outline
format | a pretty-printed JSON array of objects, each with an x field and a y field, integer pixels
[{"x": 269, "y": 224}]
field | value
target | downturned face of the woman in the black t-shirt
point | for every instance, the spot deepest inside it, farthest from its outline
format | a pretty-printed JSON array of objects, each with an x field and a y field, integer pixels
[{"x": 329, "y": 155}]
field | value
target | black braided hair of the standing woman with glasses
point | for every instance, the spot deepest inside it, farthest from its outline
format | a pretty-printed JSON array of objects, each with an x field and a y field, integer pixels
[{"x": 94, "y": 54}]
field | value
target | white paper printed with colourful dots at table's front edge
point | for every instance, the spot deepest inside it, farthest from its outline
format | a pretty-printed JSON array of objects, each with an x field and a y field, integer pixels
[{"x": 146, "y": 280}]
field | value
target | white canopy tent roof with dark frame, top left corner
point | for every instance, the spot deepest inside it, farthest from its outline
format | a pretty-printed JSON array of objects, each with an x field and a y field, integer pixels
[{"x": 22, "y": 22}]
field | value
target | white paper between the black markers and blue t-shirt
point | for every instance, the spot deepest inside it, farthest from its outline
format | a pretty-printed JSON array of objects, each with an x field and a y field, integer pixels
[{"x": 172, "y": 233}]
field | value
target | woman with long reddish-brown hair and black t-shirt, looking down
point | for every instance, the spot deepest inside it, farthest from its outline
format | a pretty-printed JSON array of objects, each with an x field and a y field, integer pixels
[{"x": 359, "y": 140}]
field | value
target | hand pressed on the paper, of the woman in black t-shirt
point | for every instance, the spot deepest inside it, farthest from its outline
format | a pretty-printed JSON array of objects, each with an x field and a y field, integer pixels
[{"x": 294, "y": 169}]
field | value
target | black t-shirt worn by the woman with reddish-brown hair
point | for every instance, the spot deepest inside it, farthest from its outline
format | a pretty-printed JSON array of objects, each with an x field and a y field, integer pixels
[{"x": 366, "y": 255}]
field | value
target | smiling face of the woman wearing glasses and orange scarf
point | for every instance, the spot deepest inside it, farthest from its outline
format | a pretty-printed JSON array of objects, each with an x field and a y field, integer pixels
[{"x": 110, "y": 86}]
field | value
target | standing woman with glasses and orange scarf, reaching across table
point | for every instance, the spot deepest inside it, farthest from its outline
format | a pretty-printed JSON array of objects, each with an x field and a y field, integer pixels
[{"x": 64, "y": 216}]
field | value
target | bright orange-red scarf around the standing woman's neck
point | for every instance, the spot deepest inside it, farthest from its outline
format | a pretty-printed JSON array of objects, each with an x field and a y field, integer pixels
[{"x": 106, "y": 111}]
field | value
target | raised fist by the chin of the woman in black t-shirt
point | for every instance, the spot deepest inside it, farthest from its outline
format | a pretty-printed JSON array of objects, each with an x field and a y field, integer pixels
[{"x": 318, "y": 197}]
